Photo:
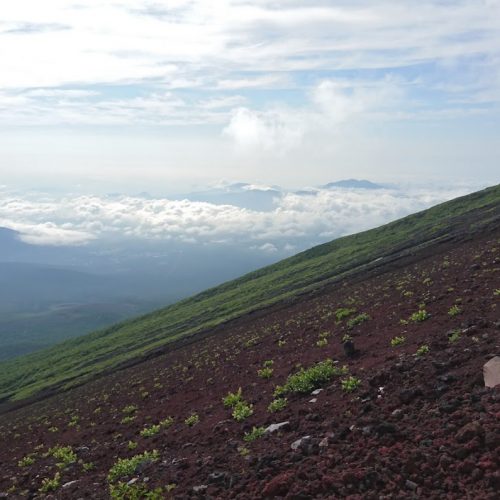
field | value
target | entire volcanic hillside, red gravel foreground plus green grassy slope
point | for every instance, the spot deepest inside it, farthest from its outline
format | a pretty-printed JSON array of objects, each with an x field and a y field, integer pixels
[{"x": 365, "y": 382}]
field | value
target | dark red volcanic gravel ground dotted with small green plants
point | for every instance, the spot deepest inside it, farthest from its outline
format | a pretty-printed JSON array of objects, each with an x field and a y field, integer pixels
[{"x": 417, "y": 426}]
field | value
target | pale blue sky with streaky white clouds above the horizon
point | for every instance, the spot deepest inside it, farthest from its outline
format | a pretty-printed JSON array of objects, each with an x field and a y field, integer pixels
[{"x": 165, "y": 96}]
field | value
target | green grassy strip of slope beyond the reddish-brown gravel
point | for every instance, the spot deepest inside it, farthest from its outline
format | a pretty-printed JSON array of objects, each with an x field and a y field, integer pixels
[{"x": 76, "y": 360}]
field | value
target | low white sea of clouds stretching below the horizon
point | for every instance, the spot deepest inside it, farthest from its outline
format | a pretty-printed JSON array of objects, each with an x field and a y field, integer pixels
[{"x": 297, "y": 221}]
